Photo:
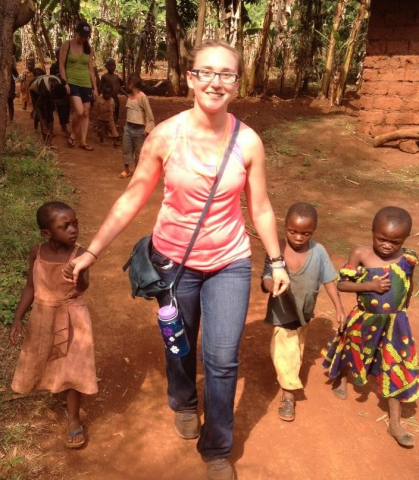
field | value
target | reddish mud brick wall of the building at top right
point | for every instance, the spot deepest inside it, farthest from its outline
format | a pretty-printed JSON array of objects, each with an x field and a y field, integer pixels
[{"x": 390, "y": 89}]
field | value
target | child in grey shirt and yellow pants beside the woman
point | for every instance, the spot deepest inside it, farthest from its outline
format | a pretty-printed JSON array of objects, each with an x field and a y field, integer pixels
[{"x": 309, "y": 267}]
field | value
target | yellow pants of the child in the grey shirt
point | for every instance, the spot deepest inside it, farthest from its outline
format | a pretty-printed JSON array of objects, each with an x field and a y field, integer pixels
[{"x": 287, "y": 348}]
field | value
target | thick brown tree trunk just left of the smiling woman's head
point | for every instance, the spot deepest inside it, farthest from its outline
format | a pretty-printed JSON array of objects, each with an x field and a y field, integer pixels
[{"x": 176, "y": 50}]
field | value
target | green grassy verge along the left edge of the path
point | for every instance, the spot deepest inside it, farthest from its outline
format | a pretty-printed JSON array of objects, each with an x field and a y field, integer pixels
[{"x": 31, "y": 178}]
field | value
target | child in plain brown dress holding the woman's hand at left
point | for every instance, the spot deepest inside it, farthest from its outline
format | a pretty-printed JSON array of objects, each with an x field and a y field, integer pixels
[{"x": 57, "y": 352}]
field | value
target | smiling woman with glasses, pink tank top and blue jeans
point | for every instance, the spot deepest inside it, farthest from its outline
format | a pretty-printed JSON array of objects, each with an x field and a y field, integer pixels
[{"x": 213, "y": 291}]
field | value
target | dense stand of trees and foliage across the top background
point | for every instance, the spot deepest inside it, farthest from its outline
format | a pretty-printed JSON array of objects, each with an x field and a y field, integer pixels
[{"x": 279, "y": 38}]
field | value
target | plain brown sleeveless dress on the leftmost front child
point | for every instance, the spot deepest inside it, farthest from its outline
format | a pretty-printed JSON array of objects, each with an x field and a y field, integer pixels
[{"x": 57, "y": 352}]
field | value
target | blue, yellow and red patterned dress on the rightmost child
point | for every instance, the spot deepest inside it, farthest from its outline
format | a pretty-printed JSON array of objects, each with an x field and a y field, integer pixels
[{"x": 377, "y": 339}]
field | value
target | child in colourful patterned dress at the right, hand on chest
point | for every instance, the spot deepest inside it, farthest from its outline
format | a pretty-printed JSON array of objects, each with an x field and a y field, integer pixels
[{"x": 377, "y": 339}]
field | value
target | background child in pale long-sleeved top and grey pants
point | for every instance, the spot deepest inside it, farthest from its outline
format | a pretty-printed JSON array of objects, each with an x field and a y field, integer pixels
[{"x": 140, "y": 122}]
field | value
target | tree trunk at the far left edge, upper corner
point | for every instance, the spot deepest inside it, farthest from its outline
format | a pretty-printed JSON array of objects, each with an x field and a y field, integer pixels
[{"x": 9, "y": 14}]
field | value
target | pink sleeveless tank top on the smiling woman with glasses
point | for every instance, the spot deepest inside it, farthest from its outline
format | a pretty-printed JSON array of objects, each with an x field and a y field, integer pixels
[{"x": 222, "y": 238}]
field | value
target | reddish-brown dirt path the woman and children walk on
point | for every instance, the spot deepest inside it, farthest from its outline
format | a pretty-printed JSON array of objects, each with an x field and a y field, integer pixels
[{"x": 129, "y": 425}]
